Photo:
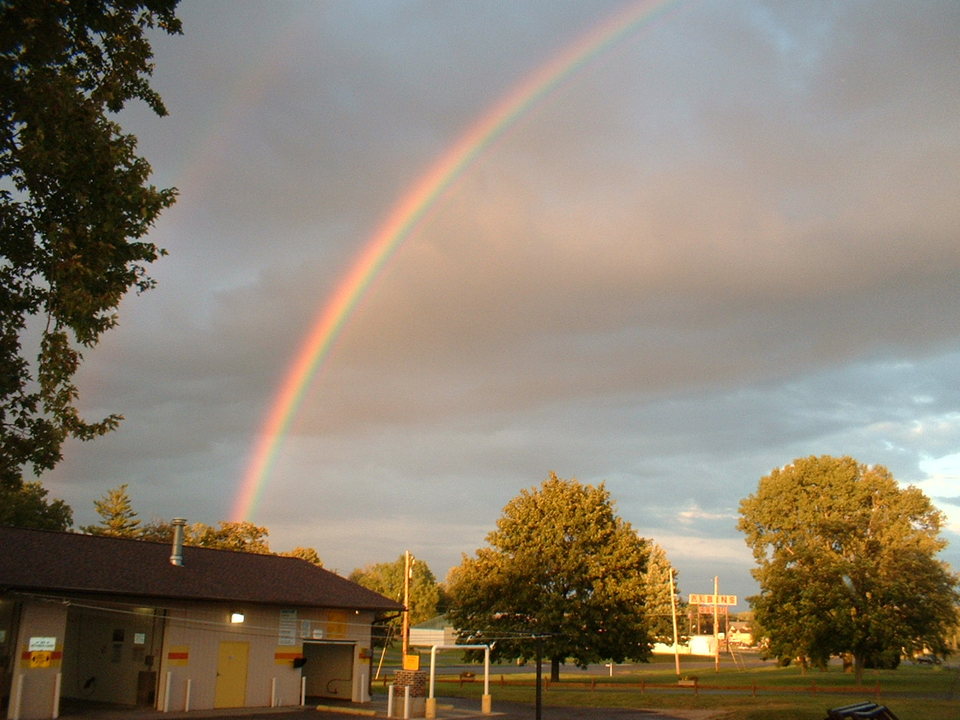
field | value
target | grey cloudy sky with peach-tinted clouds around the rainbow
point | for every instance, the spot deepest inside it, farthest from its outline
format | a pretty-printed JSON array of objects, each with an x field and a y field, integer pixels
[{"x": 728, "y": 240}]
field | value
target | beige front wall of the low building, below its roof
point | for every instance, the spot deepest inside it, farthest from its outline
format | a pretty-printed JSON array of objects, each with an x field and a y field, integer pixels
[{"x": 189, "y": 650}]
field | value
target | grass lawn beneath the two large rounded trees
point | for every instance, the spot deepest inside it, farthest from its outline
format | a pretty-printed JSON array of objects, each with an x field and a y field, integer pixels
[{"x": 761, "y": 690}]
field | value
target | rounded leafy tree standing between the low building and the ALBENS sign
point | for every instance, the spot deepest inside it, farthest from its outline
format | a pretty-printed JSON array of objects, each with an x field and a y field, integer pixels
[{"x": 562, "y": 571}]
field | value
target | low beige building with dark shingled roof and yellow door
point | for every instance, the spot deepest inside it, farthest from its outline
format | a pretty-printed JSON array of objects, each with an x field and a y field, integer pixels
[{"x": 114, "y": 620}]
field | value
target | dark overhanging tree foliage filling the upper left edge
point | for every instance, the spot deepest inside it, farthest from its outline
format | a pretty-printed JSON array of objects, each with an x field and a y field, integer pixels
[{"x": 75, "y": 206}]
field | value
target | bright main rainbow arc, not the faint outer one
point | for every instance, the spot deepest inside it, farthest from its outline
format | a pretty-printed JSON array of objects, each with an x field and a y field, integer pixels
[{"x": 404, "y": 217}]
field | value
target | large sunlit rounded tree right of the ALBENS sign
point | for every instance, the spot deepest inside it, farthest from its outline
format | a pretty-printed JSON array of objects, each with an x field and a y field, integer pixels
[{"x": 847, "y": 562}]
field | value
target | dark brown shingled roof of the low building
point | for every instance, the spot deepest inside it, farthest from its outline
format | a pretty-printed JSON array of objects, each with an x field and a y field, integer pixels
[{"x": 39, "y": 560}]
